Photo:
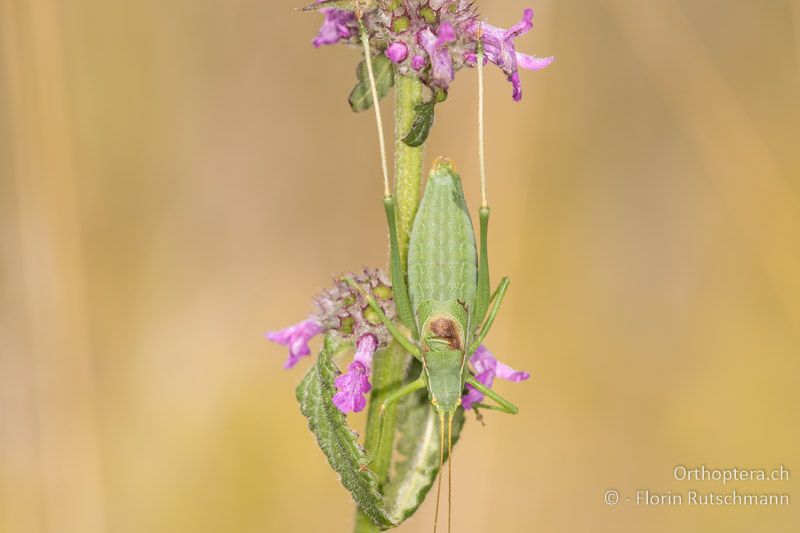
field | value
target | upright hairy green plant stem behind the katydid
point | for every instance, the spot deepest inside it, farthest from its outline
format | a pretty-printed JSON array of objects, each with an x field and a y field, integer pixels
[{"x": 390, "y": 367}]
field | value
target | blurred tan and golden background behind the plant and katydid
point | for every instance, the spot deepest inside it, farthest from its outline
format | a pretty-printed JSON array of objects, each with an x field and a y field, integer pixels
[{"x": 178, "y": 177}]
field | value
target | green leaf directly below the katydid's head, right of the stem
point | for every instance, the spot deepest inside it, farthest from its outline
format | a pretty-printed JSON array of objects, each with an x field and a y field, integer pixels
[{"x": 419, "y": 446}]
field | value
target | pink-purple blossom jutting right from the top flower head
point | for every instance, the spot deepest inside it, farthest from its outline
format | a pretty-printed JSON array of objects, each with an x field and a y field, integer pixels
[{"x": 499, "y": 49}]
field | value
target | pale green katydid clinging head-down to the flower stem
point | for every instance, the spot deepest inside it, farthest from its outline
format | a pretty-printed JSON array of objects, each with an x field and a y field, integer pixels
[{"x": 445, "y": 298}]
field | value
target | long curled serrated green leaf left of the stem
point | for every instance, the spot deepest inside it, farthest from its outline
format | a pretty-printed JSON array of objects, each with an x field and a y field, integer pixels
[{"x": 337, "y": 440}]
